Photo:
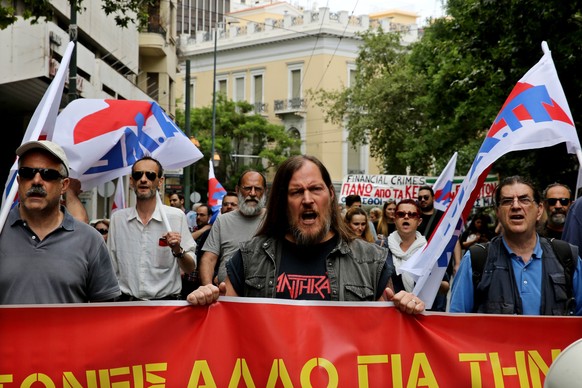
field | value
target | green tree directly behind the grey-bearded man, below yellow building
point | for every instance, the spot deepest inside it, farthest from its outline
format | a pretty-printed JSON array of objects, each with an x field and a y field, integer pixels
[{"x": 238, "y": 131}]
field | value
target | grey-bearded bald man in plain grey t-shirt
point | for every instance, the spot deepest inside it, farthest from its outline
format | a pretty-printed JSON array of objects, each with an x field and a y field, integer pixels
[{"x": 234, "y": 227}]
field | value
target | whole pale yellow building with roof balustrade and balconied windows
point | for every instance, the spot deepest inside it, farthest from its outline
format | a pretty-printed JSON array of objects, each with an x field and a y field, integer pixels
[{"x": 274, "y": 56}]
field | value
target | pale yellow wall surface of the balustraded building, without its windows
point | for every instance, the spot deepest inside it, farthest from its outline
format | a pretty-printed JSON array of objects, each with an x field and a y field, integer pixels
[{"x": 325, "y": 61}]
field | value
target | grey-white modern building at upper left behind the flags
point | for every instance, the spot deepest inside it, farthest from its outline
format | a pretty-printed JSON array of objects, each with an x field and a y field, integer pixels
[{"x": 111, "y": 63}]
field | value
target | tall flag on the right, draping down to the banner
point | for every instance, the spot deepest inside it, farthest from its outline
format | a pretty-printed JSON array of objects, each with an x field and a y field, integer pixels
[{"x": 535, "y": 115}]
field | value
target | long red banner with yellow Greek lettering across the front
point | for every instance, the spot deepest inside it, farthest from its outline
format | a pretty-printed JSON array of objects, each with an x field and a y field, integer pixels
[{"x": 266, "y": 343}]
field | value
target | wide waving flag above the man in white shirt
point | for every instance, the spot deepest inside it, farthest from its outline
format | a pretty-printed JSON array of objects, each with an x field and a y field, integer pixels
[{"x": 104, "y": 138}]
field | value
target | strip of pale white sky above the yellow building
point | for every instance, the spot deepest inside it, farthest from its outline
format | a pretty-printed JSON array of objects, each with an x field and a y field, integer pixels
[{"x": 426, "y": 8}]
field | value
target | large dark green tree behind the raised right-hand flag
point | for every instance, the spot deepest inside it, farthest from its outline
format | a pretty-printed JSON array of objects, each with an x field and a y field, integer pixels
[{"x": 474, "y": 58}]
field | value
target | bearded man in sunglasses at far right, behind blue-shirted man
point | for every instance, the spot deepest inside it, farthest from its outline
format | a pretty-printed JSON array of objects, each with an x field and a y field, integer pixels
[{"x": 556, "y": 204}]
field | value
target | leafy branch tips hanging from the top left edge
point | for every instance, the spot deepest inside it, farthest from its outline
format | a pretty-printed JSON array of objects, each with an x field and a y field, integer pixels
[{"x": 124, "y": 11}]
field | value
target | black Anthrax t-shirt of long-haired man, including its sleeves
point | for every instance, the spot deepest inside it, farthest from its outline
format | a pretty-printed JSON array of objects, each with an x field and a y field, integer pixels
[{"x": 302, "y": 273}]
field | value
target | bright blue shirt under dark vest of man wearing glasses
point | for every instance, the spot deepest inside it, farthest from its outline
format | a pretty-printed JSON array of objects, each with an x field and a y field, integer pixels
[{"x": 528, "y": 277}]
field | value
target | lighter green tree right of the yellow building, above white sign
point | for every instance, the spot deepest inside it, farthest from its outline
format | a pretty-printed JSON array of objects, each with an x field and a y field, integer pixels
[{"x": 379, "y": 109}]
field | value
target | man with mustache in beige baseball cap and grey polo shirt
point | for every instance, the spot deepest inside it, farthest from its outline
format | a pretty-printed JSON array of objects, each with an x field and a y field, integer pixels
[{"x": 46, "y": 256}]
